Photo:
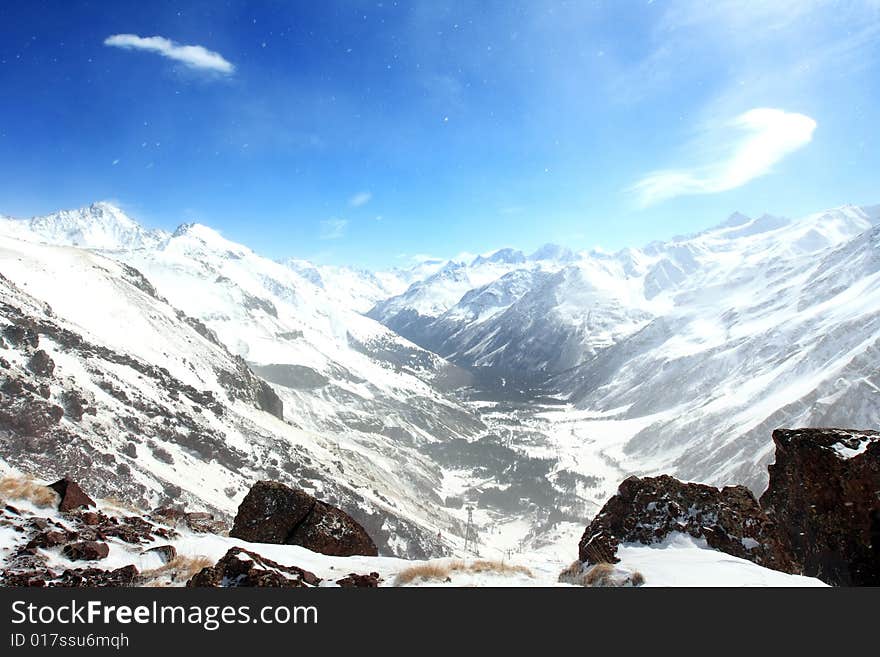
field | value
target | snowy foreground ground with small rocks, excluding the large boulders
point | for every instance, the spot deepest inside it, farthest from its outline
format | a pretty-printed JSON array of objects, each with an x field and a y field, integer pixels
[{"x": 202, "y": 559}]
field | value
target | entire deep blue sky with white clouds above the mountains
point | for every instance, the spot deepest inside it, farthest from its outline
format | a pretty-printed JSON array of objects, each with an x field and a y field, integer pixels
[{"x": 371, "y": 133}]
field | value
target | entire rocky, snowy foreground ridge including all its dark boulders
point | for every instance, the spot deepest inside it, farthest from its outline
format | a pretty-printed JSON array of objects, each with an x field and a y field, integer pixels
[{"x": 818, "y": 519}]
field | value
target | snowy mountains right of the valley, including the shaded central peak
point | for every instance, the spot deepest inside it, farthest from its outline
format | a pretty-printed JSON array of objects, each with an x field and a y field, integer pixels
[{"x": 681, "y": 356}]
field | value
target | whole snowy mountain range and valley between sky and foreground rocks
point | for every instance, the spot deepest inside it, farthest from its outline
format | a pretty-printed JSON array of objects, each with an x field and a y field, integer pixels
[{"x": 525, "y": 384}]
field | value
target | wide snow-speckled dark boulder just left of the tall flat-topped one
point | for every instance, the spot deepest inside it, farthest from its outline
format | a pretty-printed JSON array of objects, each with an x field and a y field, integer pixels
[{"x": 647, "y": 510}]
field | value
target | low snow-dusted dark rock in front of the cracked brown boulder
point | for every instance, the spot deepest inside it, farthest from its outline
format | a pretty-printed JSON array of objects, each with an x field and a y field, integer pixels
[{"x": 240, "y": 567}]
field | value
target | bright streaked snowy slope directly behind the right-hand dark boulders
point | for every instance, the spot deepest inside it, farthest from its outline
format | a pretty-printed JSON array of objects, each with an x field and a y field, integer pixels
[{"x": 778, "y": 328}]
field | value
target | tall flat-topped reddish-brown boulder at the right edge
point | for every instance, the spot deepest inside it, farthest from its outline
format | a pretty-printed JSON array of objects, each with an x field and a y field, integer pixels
[{"x": 824, "y": 494}]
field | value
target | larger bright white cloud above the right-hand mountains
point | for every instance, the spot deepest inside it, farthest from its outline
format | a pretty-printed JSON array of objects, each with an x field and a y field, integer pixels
[{"x": 764, "y": 137}]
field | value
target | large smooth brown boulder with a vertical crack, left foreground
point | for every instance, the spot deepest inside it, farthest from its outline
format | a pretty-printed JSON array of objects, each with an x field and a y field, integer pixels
[{"x": 274, "y": 513}]
